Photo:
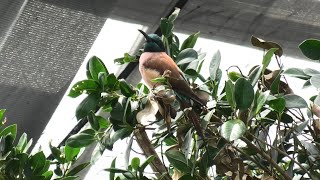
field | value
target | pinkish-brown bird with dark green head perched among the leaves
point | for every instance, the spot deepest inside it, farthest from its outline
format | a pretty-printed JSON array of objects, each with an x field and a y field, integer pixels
[{"x": 154, "y": 62}]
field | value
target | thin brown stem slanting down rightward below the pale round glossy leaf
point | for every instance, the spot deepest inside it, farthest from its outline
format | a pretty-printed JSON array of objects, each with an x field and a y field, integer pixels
[{"x": 267, "y": 157}]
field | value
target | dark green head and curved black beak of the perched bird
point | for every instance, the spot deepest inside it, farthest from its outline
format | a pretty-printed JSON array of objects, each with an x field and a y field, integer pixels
[{"x": 153, "y": 43}]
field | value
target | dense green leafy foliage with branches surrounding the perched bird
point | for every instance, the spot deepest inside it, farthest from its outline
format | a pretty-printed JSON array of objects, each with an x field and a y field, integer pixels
[{"x": 255, "y": 127}]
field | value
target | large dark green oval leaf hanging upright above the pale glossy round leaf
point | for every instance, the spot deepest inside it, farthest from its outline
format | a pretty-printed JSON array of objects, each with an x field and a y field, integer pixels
[{"x": 243, "y": 94}]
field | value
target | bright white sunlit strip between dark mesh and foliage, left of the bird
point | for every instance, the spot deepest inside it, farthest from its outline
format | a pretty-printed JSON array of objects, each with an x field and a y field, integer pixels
[{"x": 113, "y": 41}]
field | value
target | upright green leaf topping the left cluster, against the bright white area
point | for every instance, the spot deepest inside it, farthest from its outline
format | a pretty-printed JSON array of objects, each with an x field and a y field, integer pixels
[{"x": 95, "y": 66}]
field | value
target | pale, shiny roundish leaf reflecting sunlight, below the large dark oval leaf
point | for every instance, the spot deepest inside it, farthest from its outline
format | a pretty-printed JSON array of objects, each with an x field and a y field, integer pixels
[{"x": 232, "y": 129}]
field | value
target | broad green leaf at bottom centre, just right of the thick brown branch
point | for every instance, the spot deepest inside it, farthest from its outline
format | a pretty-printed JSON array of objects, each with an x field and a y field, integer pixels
[{"x": 179, "y": 161}]
